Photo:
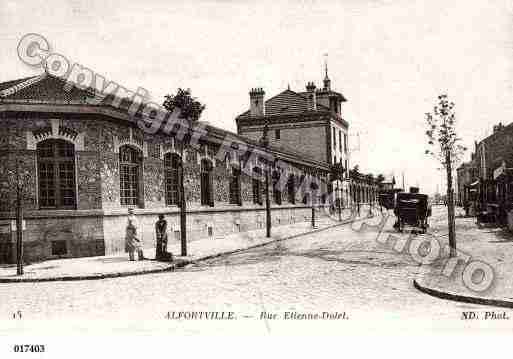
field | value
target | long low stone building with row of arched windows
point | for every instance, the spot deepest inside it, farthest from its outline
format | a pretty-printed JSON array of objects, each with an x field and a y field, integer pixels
[{"x": 84, "y": 162}]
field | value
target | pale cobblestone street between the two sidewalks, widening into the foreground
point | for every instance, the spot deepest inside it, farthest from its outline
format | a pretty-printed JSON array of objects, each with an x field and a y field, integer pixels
[{"x": 341, "y": 269}]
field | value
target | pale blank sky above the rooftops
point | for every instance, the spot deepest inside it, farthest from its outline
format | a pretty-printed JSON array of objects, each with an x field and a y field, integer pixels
[{"x": 390, "y": 59}]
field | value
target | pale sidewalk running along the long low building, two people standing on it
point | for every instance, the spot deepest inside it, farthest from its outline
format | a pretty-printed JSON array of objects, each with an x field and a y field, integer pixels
[{"x": 119, "y": 266}]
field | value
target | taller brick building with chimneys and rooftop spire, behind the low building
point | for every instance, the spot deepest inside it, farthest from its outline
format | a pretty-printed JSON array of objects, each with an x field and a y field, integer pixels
[{"x": 309, "y": 123}]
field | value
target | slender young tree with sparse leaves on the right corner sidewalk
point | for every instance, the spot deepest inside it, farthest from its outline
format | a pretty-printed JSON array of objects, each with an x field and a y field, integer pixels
[{"x": 446, "y": 147}]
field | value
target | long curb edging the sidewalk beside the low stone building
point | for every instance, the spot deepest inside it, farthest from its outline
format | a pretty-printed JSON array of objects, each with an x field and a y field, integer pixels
[{"x": 170, "y": 268}]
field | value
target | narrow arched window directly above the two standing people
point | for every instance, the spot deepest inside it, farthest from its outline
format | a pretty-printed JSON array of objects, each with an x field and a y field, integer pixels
[{"x": 130, "y": 168}]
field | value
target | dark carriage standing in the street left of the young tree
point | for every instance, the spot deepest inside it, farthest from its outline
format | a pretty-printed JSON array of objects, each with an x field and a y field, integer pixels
[{"x": 412, "y": 209}]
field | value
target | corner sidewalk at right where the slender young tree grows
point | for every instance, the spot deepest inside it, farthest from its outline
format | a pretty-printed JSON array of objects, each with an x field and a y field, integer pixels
[{"x": 493, "y": 246}]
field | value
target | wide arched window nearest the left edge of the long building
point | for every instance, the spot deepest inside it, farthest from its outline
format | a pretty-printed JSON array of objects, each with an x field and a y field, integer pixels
[{"x": 56, "y": 174}]
